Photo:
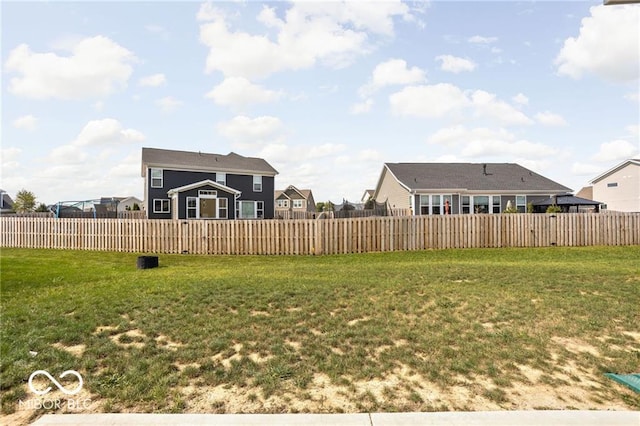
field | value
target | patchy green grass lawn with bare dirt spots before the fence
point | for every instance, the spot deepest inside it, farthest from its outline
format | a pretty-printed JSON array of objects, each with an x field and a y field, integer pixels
[{"x": 410, "y": 331}]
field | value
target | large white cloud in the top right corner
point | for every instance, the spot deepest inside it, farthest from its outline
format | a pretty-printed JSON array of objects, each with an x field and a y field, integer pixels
[{"x": 607, "y": 45}]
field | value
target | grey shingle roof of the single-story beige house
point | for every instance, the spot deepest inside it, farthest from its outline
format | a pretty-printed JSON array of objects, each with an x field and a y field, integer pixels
[{"x": 471, "y": 177}]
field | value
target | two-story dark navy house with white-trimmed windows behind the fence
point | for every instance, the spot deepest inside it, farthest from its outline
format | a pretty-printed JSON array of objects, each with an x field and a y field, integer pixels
[{"x": 196, "y": 185}]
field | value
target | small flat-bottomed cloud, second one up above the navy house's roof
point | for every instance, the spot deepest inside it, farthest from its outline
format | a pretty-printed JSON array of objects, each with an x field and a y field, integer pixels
[{"x": 238, "y": 93}]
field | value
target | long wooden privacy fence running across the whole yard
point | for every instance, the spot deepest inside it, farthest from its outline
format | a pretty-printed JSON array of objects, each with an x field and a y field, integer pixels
[{"x": 331, "y": 236}]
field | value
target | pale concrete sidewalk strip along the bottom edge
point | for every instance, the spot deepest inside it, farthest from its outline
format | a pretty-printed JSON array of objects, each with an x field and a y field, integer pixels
[{"x": 481, "y": 418}]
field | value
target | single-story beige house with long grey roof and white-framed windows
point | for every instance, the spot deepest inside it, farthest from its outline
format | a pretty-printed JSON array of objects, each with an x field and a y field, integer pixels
[{"x": 462, "y": 188}]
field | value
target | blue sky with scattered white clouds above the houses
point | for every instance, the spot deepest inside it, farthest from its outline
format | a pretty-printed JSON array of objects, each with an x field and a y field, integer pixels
[{"x": 326, "y": 92}]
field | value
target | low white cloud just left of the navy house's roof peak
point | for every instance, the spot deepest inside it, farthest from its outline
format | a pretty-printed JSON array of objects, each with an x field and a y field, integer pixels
[{"x": 106, "y": 132}]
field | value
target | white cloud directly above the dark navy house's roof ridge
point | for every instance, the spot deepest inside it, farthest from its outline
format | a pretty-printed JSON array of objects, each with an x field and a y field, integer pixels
[{"x": 246, "y": 132}]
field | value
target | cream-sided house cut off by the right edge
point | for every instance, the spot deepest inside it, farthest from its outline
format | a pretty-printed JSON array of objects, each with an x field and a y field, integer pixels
[{"x": 619, "y": 187}]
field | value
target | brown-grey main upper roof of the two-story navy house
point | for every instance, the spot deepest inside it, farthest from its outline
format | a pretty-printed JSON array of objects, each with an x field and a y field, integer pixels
[{"x": 200, "y": 161}]
